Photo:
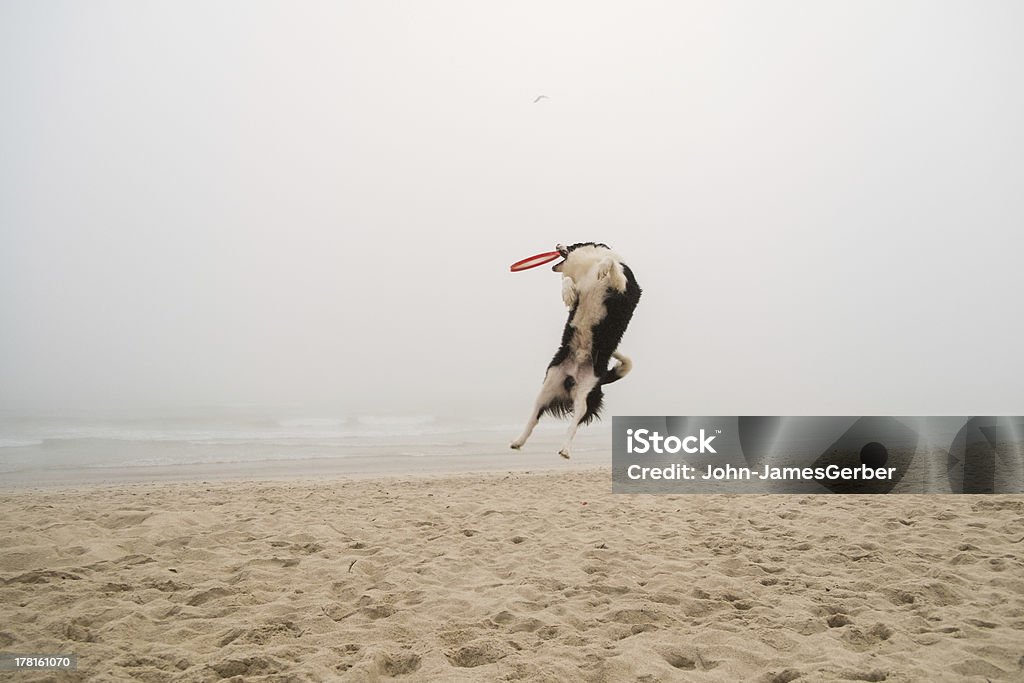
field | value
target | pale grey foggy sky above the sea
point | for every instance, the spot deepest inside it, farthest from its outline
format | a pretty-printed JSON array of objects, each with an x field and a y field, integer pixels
[{"x": 318, "y": 203}]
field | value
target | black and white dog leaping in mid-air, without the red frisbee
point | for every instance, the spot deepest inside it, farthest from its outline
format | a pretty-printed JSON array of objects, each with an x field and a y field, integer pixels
[{"x": 602, "y": 294}]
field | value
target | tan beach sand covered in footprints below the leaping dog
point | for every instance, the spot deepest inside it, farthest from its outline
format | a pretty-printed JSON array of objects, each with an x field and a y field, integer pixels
[{"x": 521, "y": 577}]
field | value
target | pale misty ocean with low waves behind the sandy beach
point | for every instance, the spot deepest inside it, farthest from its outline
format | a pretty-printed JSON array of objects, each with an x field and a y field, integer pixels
[{"x": 40, "y": 450}]
